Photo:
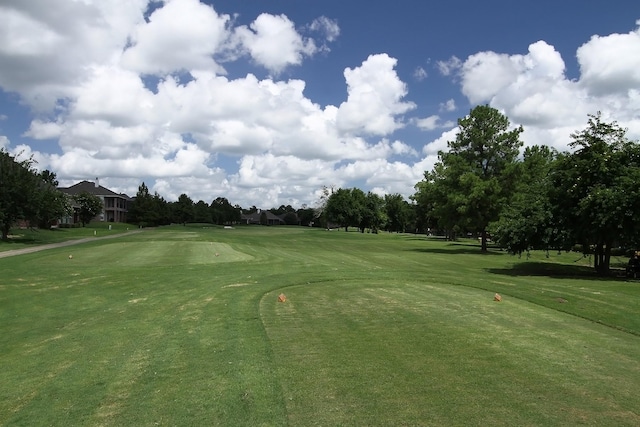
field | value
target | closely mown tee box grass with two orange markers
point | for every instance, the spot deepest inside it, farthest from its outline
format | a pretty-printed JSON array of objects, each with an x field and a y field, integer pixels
[{"x": 346, "y": 350}]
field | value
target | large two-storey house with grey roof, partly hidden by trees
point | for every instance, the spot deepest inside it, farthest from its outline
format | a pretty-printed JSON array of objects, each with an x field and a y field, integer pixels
[{"x": 115, "y": 205}]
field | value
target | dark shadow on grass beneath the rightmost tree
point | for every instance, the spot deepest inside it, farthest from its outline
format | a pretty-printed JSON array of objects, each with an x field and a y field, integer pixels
[{"x": 556, "y": 271}]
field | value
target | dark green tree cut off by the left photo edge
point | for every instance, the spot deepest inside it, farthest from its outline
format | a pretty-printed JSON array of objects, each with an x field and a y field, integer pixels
[{"x": 18, "y": 184}]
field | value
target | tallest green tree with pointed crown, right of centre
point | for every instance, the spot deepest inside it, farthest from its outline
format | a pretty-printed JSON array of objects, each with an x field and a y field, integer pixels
[{"x": 472, "y": 182}]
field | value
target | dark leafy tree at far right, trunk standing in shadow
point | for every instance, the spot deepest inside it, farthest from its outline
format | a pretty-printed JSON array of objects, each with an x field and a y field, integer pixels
[{"x": 595, "y": 191}]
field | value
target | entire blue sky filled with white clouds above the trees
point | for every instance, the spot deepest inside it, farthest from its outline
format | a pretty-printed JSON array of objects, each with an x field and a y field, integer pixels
[{"x": 265, "y": 102}]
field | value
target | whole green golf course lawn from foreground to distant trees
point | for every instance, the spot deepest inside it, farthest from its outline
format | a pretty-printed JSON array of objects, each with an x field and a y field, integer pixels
[{"x": 181, "y": 326}]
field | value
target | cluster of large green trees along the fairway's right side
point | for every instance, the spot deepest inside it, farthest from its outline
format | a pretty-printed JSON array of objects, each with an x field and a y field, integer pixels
[{"x": 586, "y": 199}]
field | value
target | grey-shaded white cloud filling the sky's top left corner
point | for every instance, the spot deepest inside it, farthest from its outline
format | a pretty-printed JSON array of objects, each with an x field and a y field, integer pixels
[{"x": 46, "y": 45}]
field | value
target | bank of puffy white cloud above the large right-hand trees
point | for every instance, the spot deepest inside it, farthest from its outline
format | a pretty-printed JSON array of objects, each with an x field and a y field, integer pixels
[{"x": 532, "y": 89}]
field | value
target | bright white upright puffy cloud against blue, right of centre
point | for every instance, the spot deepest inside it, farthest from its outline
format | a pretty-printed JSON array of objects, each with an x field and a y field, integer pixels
[{"x": 375, "y": 98}]
